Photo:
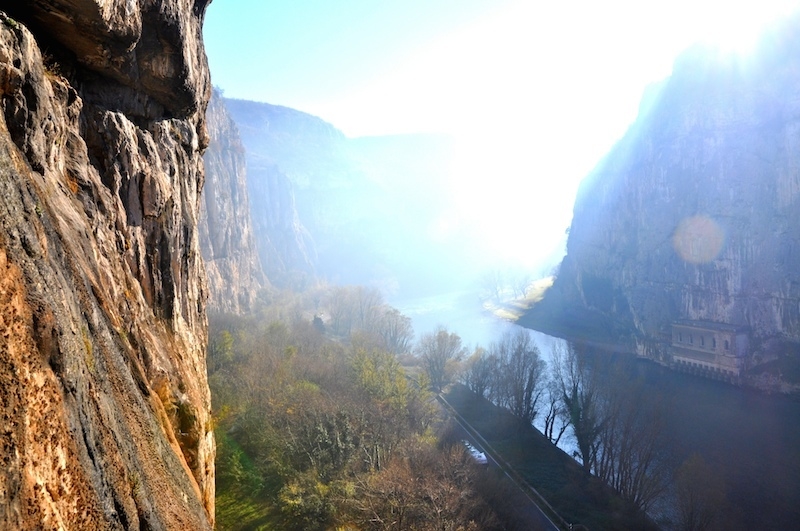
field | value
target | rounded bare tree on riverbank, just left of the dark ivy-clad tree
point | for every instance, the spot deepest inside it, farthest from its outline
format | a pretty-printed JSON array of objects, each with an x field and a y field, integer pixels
[{"x": 521, "y": 369}]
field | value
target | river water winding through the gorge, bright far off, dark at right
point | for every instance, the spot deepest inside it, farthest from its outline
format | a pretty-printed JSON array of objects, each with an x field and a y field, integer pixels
[{"x": 751, "y": 439}]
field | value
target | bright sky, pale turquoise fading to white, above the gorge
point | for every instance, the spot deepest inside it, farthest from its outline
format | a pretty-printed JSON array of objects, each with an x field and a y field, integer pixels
[{"x": 535, "y": 92}]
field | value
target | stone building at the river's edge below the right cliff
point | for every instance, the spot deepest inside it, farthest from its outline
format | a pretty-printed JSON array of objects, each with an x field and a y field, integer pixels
[{"x": 716, "y": 350}]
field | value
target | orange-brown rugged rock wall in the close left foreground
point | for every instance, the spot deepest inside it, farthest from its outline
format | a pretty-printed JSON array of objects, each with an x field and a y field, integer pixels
[{"x": 103, "y": 393}]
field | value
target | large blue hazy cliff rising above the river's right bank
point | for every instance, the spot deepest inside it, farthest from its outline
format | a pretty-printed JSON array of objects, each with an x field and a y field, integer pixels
[{"x": 695, "y": 213}]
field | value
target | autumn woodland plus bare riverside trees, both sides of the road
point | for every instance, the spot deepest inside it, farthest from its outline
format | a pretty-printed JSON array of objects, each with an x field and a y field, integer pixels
[{"x": 326, "y": 418}]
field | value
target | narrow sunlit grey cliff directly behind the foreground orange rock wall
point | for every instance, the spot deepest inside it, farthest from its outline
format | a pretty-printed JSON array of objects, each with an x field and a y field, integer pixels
[{"x": 227, "y": 242}]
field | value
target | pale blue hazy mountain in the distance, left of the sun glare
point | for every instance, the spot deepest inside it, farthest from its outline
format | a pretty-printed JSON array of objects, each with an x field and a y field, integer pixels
[{"x": 370, "y": 205}]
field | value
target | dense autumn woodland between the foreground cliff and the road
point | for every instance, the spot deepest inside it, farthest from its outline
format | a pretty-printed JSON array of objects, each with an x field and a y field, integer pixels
[{"x": 320, "y": 426}]
